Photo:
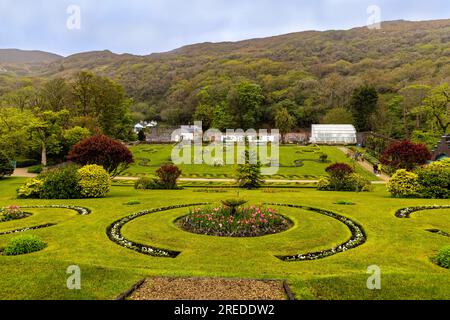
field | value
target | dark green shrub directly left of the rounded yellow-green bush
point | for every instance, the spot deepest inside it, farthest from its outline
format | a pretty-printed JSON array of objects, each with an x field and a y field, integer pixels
[{"x": 61, "y": 183}]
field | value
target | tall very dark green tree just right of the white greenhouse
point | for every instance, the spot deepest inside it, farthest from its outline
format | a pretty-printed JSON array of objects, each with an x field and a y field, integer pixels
[{"x": 363, "y": 104}]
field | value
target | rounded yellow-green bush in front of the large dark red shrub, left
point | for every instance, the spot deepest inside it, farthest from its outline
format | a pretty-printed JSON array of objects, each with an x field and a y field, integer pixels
[{"x": 94, "y": 181}]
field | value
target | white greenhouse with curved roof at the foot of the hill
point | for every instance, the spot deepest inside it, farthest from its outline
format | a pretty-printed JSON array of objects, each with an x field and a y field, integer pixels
[{"x": 333, "y": 134}]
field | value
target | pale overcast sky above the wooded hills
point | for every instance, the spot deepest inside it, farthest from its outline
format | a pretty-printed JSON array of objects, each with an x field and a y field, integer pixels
[{"x": 147, "y": 26}]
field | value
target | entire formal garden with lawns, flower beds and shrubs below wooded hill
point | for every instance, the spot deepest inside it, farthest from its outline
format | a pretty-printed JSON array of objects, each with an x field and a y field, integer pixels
[{"x": 320, "y": 238}]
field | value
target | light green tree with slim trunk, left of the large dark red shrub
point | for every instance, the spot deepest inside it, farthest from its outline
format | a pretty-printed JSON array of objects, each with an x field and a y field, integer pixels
[{"x": 47, "y": 128}]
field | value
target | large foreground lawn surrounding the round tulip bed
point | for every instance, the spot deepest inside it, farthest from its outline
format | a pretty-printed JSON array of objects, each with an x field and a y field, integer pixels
[{"x": 401, "y": 247}]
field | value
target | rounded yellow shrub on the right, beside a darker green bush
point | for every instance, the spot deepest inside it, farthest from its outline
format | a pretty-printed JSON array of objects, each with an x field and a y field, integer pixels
[{"x": 403, "y": 184}]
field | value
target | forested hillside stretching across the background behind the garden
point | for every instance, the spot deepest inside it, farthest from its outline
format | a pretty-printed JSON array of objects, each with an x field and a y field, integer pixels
[{"x": 393, "y": 81}]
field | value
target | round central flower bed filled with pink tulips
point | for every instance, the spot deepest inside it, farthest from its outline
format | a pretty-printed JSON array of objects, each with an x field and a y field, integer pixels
[{"x": 224, "y": 221}]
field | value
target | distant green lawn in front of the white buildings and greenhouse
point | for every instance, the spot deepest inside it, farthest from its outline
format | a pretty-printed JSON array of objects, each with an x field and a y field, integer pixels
[{"x": 148, "y": 158}]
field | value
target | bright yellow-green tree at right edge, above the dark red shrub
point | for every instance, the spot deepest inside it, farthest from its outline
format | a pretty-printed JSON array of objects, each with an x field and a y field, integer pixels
[{"x": 438, "y": 105}]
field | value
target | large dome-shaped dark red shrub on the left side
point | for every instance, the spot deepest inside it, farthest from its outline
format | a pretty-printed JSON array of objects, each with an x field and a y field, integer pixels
[{"x": 111, "y": 154}]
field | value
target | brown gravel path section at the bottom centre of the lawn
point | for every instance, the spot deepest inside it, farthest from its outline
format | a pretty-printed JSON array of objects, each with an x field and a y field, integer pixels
[{"x": 209, "y": 289}]
